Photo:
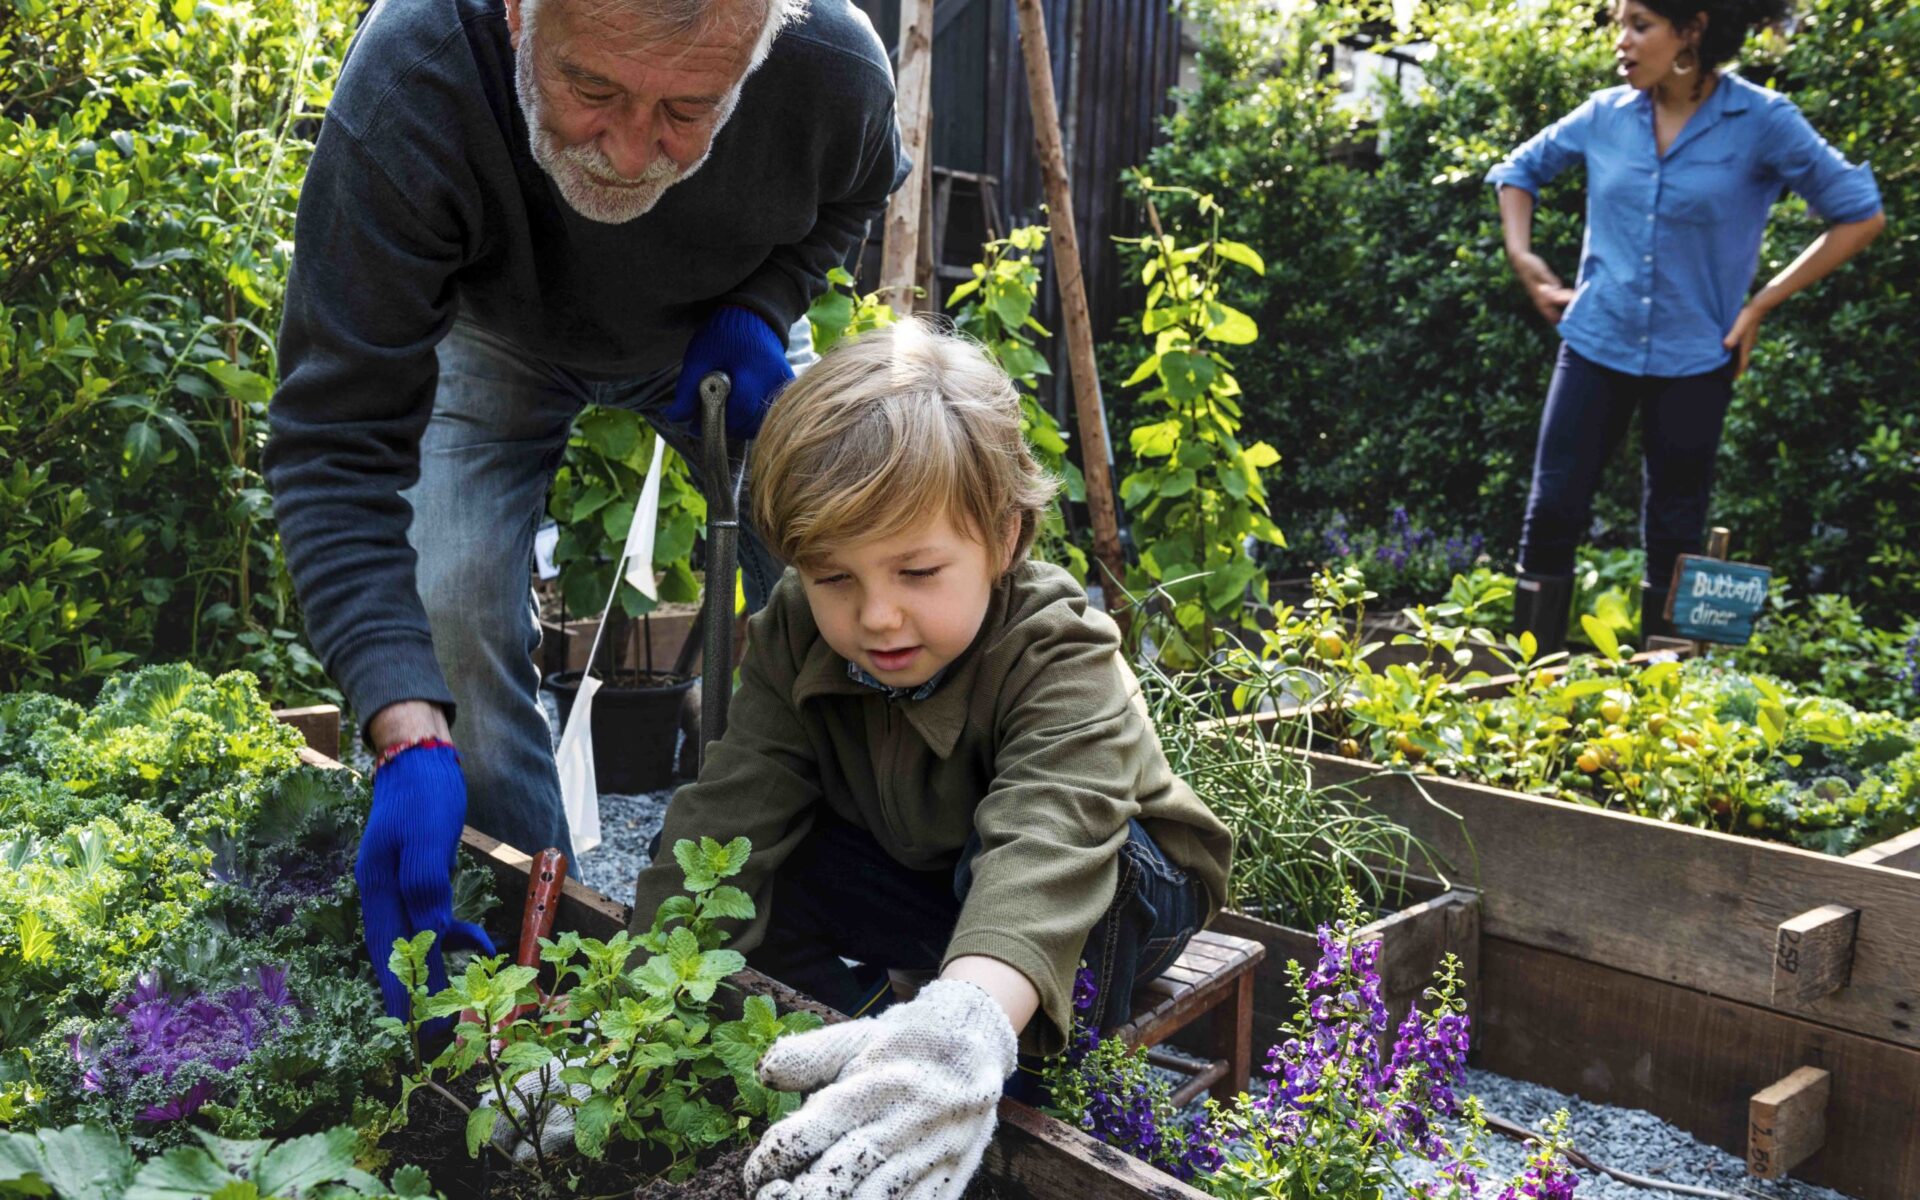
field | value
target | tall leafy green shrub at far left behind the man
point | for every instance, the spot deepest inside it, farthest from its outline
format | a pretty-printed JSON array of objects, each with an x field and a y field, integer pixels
[{"x": 149, "y": 166}]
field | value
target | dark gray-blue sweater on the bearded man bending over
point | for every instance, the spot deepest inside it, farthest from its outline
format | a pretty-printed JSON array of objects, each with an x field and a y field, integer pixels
[{"x": 423, "y": 204}]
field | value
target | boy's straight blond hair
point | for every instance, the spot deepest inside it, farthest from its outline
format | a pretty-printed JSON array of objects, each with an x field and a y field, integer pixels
[{"x": 892, "y": 429}]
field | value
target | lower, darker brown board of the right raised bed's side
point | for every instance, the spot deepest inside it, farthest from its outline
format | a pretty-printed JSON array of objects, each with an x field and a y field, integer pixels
[{"x": 1698, "y": 1063}]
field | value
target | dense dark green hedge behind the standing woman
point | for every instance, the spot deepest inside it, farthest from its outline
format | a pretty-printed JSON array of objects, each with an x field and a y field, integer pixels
[{"x": 1401, "y": 364}]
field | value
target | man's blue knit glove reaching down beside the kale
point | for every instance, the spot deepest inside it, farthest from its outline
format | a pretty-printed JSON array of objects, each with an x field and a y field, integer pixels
[{"x": 406, "y": 865}]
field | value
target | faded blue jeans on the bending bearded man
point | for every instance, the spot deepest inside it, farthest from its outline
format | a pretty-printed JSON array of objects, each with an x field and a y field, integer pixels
[{"x": 487, "y": 460}]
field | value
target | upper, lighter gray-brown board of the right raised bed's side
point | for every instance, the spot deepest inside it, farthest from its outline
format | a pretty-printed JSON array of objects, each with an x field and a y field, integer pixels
[{"x": 1666, "y": 901}]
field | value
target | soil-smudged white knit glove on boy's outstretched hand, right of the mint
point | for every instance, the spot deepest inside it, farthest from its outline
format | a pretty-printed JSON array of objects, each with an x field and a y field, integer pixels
[{"x": 905, "y": 1107}]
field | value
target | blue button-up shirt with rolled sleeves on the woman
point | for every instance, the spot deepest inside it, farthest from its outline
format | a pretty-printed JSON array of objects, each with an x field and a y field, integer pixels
[{"x": 1673, "y": 243}]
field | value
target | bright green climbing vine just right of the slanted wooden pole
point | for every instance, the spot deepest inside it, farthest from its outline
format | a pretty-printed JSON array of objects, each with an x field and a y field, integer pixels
[{"x": 1199, "y": 496}]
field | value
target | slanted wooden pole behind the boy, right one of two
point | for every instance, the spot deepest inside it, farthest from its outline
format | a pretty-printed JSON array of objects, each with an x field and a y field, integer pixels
[{"x": 1072, "y": 297}]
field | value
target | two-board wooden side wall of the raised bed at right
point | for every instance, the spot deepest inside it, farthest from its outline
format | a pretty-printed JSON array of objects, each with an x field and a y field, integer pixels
[{"x": 1681, "y": 971}]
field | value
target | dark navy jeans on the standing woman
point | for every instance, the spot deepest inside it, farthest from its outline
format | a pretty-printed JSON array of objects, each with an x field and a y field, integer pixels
[{"x": 1587, "y": 418}]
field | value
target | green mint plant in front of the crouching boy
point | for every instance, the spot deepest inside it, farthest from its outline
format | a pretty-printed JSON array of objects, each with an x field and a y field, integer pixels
[{"x": 627, "y": 1049}]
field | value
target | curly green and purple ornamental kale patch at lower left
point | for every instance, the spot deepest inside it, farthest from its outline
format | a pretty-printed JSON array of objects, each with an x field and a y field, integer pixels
[{"x": 180, "y": 926}]
